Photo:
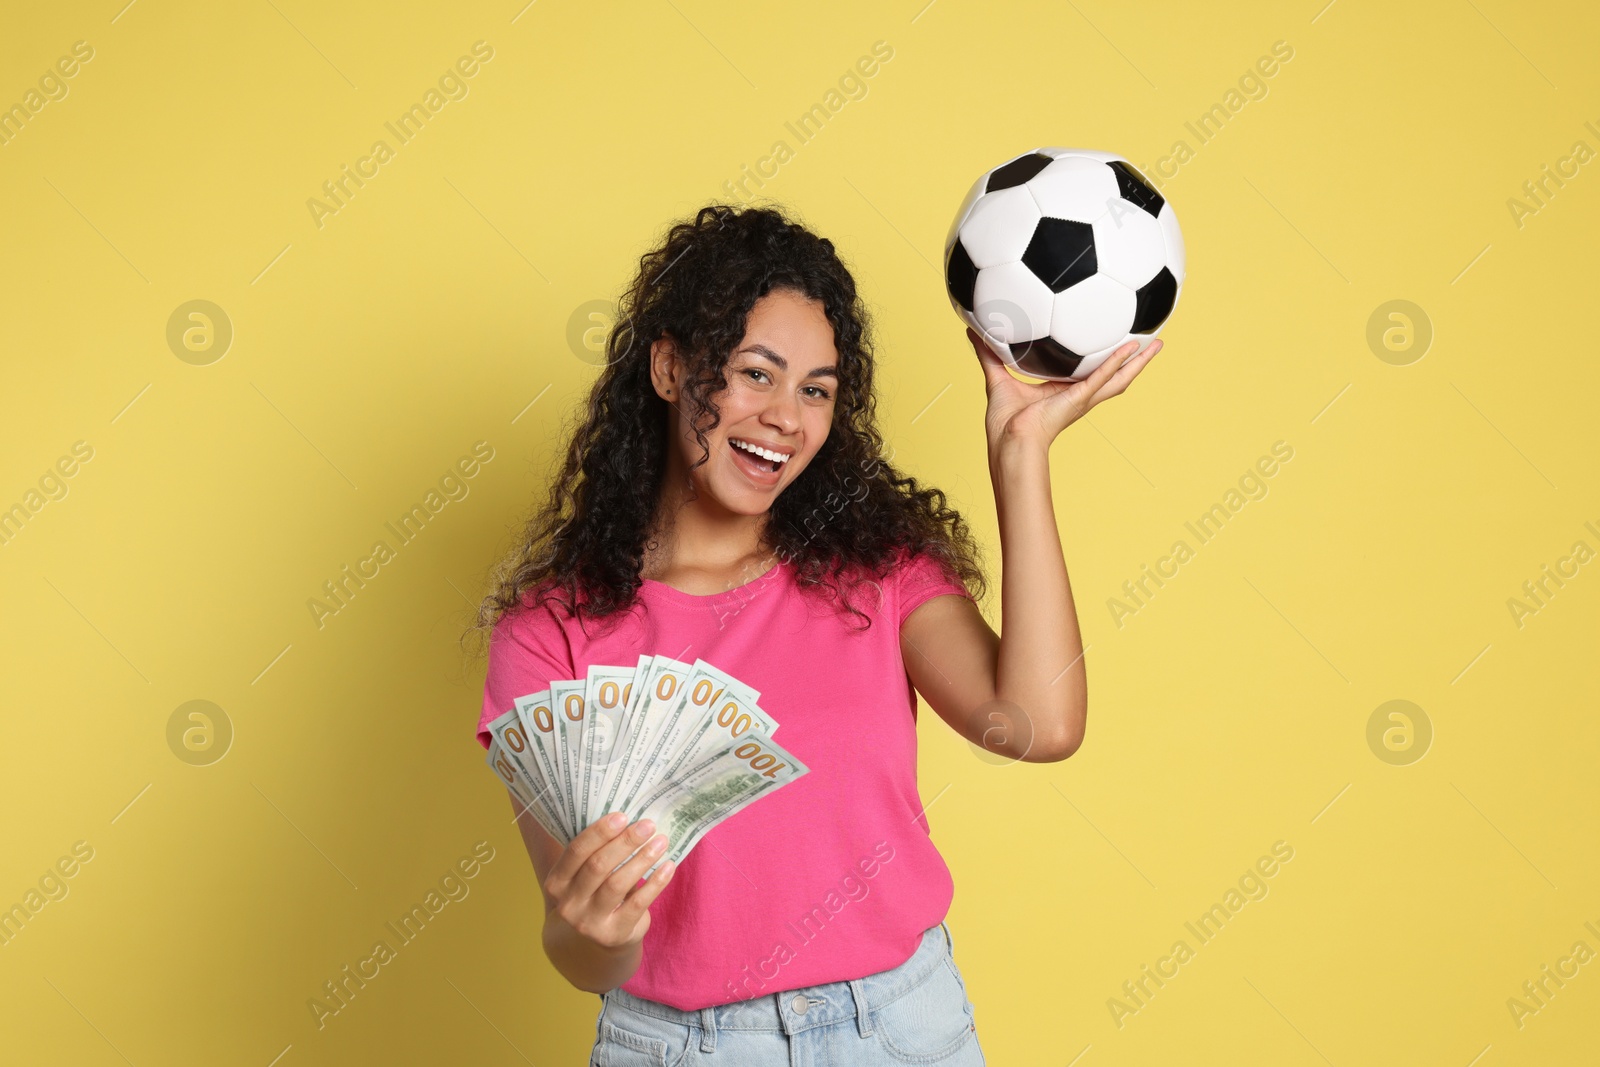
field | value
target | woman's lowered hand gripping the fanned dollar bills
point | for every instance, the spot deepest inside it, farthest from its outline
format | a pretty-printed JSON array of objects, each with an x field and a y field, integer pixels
[{"x": 602, "y": 903}]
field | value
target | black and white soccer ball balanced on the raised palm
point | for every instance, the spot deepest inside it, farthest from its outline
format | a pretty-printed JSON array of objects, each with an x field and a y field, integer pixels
[{"x": 1060, "y": 257}]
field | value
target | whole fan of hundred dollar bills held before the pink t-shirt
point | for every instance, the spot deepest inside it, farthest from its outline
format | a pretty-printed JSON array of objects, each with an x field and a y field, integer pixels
[{"x": 686, "y": 746}]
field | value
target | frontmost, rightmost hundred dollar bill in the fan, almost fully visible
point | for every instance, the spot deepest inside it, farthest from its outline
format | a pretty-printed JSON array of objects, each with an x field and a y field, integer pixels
[{"x": 726, "y": 783}]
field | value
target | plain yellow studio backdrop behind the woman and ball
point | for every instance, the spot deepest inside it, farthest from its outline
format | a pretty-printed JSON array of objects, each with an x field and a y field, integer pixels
[{"x": 370, "y": 354}]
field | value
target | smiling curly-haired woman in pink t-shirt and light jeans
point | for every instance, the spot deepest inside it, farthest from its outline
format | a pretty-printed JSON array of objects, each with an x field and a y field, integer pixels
[{"x": 727, "y": 497}]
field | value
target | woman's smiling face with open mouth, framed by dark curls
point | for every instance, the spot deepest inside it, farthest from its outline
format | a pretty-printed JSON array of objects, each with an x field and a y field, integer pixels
[{"x": 777, "y": 410}]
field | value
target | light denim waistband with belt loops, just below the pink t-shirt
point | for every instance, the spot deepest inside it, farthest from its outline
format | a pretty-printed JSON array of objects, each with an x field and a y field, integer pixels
[{"x": 798, "y": 1010}]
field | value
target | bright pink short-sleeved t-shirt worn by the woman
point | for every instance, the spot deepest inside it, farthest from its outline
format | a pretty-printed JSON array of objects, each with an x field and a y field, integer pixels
[{"x": 831, "y": 877}]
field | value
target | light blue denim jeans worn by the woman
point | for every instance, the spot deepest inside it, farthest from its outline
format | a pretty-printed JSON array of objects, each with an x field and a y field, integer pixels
[{"x": 916, "y": 1013}]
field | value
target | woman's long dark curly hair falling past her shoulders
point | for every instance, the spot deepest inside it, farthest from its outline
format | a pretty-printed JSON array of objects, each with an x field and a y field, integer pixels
[{"x": 849, "y": 516}]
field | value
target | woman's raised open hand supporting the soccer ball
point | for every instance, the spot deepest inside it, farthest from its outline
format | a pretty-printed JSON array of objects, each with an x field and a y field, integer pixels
[{"x": 1038, "y": 412}]
